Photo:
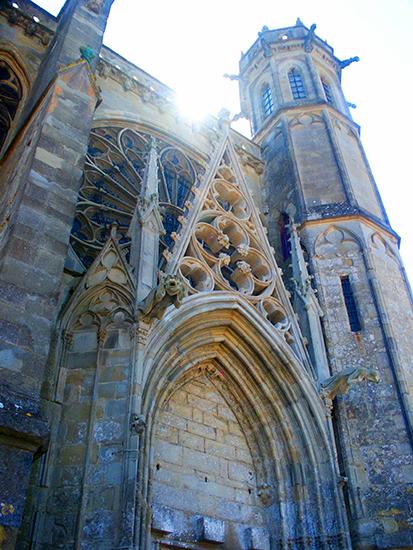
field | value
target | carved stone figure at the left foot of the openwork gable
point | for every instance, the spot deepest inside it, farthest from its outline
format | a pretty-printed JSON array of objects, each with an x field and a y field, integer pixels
[{"x": 170, "y": 290}]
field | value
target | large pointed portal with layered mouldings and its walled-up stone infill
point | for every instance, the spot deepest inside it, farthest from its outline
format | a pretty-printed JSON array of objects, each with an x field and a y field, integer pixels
[{"x": 213, "y": 365}]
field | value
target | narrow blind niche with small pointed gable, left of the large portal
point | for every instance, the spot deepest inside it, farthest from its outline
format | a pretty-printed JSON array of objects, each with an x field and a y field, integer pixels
[{"x": 88, "y": 391}]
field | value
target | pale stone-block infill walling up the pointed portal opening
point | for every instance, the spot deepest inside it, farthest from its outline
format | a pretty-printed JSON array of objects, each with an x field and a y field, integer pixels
[{"x": 202, "y": 465}]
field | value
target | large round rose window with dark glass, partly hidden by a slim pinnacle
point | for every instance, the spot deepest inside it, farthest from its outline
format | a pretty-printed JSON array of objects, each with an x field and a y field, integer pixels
[{"x": 113, "y": 175}]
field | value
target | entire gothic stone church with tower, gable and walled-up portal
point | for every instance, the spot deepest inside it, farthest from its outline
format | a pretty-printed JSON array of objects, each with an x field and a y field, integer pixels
[{"x": 205, "y": 340}]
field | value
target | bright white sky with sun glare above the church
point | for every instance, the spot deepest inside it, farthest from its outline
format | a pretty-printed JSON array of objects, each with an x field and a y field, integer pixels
[{"x": 189, "y": 44}]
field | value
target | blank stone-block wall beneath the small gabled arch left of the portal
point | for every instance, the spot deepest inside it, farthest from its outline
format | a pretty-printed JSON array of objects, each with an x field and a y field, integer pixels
[{"x": 81, "y": 479}]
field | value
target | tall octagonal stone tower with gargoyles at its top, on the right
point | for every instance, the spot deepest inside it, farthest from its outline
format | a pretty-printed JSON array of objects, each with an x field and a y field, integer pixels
[{"x": 318, "y": 181}]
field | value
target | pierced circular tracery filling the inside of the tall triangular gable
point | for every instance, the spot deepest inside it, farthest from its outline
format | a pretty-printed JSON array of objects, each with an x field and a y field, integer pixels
[{"x": 225, "y": 250}]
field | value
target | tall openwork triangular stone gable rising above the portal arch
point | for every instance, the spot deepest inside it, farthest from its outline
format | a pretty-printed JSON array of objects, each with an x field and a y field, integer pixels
[{"x": 224, "y": 246}]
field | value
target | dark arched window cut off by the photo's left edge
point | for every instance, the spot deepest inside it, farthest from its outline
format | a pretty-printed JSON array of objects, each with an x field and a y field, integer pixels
[{"x": 10, "y": 97}]
